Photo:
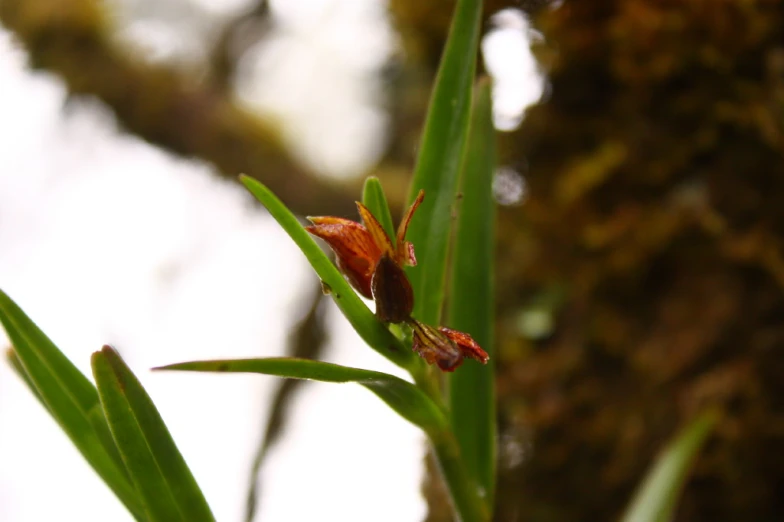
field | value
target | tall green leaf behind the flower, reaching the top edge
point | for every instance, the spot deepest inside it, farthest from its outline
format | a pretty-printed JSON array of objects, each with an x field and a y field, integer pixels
[{"x": 438, "y": 164}]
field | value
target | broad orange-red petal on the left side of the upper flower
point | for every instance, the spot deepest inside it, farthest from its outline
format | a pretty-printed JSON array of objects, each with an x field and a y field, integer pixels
[{"x": 356, "y": 252}]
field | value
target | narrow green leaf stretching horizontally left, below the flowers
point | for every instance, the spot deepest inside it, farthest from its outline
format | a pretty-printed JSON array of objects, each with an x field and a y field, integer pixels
[{"x": 402, "y": 396}]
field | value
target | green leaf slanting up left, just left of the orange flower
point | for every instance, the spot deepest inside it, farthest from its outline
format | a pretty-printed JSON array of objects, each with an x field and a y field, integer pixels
[{"x": 372, "y": 331}]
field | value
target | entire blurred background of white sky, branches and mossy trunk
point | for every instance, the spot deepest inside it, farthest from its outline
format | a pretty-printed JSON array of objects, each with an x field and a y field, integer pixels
[{"x": 640, "y": 261}]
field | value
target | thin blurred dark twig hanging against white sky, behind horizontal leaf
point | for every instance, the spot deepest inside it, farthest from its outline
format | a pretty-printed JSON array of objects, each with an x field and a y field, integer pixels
[{"x": 306, "y": 341}]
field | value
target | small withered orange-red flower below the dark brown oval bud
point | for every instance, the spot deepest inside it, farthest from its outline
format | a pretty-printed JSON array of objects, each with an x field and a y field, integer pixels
[{"x": 444, "y": 346}]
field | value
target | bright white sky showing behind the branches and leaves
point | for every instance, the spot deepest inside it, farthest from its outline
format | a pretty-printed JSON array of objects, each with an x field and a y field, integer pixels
[{"x": 105, "y": 239}]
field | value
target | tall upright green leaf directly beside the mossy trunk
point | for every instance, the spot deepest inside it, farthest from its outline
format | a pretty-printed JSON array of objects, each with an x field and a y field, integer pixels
[{"x": 472, "y": 387}]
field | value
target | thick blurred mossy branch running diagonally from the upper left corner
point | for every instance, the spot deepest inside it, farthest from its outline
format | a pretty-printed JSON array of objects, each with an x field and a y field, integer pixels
[{"x": 166, "y": 107}]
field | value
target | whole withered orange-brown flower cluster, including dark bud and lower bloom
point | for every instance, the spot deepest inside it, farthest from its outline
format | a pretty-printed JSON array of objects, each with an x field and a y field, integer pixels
[{"x": 374, "y": 265}]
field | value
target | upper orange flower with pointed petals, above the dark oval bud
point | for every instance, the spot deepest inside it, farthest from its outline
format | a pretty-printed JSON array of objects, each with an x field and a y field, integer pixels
[{"x": 359, "y": 249}]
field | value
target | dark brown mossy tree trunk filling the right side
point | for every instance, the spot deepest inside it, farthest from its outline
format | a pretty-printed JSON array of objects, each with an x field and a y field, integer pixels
[{"x": 655, "y": 209}]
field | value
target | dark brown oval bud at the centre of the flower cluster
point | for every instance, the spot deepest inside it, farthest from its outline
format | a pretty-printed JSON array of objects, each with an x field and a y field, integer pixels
[{"x": 392, "y": 291}]
